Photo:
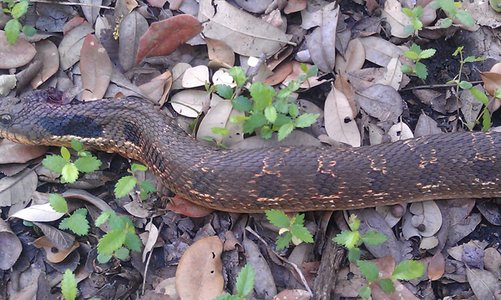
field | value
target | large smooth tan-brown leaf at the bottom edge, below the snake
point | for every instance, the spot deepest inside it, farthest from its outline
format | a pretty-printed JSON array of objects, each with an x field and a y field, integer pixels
[{"x": 198, "y": 275}]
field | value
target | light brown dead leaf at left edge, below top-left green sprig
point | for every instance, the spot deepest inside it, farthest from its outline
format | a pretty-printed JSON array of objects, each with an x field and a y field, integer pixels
[{"x": 16, "y": 55}]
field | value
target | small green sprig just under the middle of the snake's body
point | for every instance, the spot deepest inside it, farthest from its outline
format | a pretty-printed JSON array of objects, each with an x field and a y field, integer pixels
[{"x": 291, "y": 229}]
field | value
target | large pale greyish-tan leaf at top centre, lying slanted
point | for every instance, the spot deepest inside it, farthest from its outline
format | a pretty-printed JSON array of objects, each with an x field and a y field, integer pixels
[{"x": 244, "y": 33}]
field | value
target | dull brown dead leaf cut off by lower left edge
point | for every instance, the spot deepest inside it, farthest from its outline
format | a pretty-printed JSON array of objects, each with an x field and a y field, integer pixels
[{"x": 10, "y": 247}]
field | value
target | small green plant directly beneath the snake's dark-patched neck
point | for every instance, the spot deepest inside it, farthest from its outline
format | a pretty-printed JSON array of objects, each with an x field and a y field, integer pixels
[{"x": 69, "y": 170}]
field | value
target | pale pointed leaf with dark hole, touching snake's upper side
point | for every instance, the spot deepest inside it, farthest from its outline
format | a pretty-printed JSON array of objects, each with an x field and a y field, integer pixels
[{"x": 340, "y": 119}]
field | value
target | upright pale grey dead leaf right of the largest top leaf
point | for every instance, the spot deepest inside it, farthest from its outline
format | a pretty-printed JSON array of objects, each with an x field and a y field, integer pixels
[{"x": 322, "y": 41}]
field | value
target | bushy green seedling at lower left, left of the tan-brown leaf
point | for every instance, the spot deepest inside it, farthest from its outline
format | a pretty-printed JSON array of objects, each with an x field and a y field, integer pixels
[{"x": 119, "y": 240}]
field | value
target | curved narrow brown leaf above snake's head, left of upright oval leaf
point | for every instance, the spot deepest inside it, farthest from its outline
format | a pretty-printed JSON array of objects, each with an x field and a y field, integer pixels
[{"x": 48, "y": 55}]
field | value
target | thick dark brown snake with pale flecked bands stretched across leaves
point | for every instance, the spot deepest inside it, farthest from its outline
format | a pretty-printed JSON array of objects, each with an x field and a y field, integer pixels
[{"x": 289, "y": 178}]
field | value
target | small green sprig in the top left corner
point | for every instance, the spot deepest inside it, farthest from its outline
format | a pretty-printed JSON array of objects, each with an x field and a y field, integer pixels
[{"x": 14, "y": 27}]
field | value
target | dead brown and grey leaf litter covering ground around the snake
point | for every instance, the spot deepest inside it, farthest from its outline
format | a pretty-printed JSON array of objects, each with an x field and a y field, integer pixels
[{"x": 159, "y": 55}]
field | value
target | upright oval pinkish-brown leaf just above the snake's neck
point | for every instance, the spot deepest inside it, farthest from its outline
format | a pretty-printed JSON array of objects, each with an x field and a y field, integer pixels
[{"x": 96, "y": 68}]
